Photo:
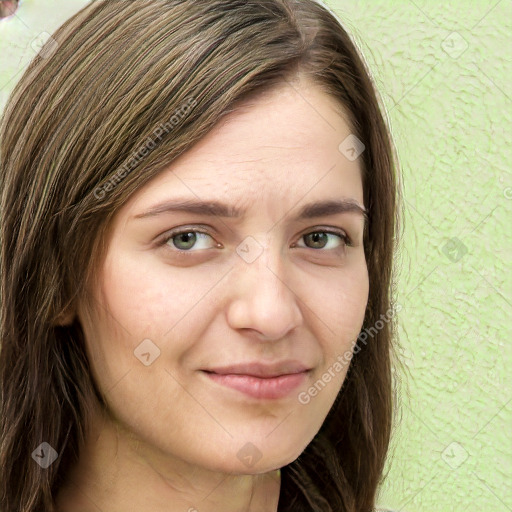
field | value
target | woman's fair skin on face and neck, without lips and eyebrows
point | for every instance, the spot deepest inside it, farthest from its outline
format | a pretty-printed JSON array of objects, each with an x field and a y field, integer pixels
[{"x": 170, "y": 437}]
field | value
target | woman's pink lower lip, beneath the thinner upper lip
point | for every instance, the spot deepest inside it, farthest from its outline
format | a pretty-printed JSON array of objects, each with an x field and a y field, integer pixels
[{"x": 256, "y": 387}]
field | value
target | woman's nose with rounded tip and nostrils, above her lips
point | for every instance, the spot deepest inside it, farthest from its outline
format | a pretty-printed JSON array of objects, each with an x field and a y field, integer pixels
[{"x": 262, "y": 299}]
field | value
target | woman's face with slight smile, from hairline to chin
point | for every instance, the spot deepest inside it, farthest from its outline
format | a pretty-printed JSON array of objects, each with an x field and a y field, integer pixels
[{"x": 225, "y": 347}]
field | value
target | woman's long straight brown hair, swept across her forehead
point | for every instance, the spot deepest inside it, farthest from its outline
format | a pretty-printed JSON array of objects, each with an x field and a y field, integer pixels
[{"x": 74, "y": 142}]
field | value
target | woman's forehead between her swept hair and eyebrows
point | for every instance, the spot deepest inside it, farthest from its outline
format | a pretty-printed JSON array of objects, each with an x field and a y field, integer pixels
[{"x": 281, "y": 148}]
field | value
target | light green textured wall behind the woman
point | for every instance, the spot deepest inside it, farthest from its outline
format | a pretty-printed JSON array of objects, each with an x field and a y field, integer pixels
[{"x": 444, "y": 71}]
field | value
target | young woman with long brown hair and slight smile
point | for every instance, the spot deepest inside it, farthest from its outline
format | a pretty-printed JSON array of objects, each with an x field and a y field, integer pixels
[{"x": 198, "y": 223}]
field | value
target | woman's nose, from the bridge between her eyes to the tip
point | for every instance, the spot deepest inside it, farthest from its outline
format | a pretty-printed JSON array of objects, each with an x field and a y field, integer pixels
[{"x": 262, "y": 299}]
